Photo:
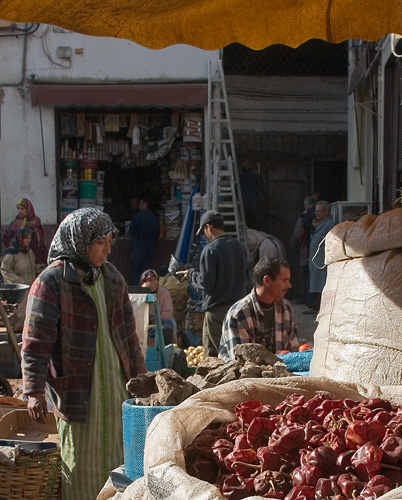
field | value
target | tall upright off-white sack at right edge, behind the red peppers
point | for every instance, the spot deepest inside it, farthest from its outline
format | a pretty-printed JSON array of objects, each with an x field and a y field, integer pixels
[{"x": 360, "y": 322}]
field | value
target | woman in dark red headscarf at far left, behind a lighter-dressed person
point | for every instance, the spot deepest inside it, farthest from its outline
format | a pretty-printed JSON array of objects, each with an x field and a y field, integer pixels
[{"x": 26, "y": 218}]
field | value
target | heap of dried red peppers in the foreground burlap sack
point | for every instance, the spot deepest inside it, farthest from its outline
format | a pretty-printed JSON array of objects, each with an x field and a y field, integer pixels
[{"x": 317, "y": 449}]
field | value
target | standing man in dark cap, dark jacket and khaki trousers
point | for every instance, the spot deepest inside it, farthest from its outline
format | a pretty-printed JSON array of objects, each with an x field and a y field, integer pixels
[{"x": 221, "y": 277}]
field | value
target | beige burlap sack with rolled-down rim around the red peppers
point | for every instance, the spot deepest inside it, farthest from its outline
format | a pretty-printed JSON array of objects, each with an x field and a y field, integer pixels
[{"x": 165, "y": 477}]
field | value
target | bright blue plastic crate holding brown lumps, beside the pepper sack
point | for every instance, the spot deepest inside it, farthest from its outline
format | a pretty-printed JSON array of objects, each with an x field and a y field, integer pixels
[{"x": 136, "y": 420}]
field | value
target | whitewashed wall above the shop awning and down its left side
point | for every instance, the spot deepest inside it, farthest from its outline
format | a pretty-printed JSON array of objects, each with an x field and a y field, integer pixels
[{"x": 103, "y": 60}]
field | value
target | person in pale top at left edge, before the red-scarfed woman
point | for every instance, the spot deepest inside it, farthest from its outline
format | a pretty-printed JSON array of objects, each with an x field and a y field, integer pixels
[{"x": 18, "y": 263}]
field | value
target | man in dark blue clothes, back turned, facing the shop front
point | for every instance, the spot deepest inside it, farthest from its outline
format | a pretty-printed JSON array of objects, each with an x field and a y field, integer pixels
[{"x": 145, "y": 230}]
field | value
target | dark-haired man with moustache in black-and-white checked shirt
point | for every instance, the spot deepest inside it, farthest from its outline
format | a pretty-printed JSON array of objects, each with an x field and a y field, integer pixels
[{"x": 263, "y": 316}]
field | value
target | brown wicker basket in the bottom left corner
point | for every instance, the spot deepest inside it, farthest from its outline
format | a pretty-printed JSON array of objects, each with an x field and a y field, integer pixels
[{"x": 36, "y": 476}]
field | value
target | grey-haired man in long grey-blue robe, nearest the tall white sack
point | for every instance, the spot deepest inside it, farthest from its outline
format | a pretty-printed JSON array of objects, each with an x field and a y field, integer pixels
[{"x": 317, "y": 270}]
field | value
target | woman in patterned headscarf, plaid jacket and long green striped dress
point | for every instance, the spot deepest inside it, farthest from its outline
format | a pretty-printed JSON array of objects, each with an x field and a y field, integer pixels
[{"x": 81, "y": 346}]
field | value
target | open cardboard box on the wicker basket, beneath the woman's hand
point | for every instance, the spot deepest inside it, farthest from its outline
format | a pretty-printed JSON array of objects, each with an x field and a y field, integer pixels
[{"x": 18, "y": 426}]
